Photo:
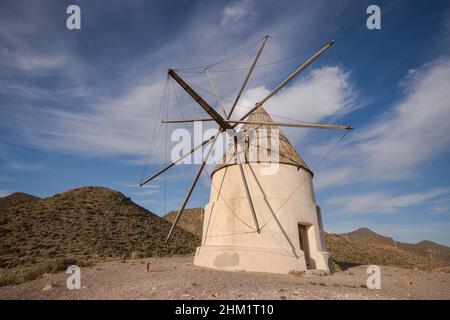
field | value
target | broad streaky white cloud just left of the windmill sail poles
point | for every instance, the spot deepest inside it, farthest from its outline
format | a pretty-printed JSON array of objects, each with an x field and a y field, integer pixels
[{"x": 120, "y": 126}]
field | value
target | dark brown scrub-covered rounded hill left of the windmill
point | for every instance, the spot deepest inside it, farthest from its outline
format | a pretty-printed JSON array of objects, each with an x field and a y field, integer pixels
[{"x": 89, "y": 223}]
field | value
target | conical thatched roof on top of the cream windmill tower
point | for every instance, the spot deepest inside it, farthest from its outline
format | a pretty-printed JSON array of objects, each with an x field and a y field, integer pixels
[{"x": 265, "y": 152}]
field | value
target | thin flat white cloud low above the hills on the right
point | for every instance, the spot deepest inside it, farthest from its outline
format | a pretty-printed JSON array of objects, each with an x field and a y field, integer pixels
[{"x": 381, "y": 203}]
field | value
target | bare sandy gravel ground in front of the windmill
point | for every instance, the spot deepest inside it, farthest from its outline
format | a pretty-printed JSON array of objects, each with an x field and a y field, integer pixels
[{"x": 178, "y": 278}]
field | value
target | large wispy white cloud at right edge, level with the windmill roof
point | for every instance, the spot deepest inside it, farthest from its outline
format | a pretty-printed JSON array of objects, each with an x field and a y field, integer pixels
[{"x": 417, "y": 129}]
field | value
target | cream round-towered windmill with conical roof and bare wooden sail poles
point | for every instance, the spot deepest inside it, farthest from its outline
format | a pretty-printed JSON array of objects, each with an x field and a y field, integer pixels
[{"x": 256, "y": 221}]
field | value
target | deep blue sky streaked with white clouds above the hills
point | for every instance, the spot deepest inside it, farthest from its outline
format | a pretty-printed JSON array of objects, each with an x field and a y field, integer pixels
[{"x": 78, "y": 107}]
